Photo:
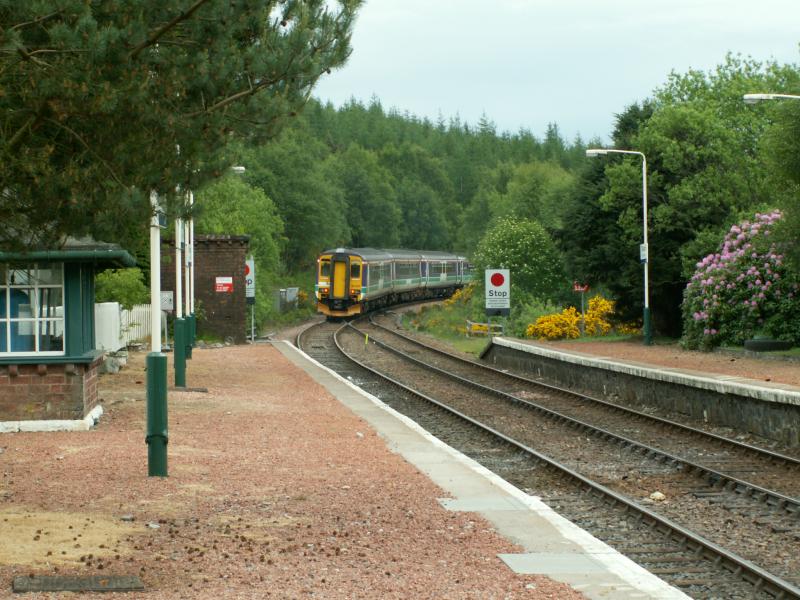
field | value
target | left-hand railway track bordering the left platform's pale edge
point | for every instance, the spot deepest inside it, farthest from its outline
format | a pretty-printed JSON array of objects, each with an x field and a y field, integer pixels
[{"x": 701, "y": 567}]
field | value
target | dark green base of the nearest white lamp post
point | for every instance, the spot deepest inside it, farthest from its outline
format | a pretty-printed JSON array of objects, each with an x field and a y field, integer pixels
[{"x": 157, "y": 434}]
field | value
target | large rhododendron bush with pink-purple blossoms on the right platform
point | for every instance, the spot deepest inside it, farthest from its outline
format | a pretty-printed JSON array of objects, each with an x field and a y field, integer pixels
[{"x": 742, "y": 291}]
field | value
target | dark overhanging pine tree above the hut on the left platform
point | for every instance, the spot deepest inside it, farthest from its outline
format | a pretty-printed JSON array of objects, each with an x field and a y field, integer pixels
[{"x": 101, "y": 102}]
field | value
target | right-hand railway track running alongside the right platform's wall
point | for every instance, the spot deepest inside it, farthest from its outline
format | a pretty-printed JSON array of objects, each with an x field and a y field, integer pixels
[{"x": 771, "y": 476}]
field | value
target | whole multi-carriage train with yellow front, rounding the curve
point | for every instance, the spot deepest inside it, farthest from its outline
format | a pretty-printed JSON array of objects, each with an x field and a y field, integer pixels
[{"x": 351, "y": 281}]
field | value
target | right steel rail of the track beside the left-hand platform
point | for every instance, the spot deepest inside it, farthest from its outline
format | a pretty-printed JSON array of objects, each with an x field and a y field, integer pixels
[{"x": 745, "y": 569}]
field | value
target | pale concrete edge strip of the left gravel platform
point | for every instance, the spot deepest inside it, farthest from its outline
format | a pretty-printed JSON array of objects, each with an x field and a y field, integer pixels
[{"x": 549, "y": 545}]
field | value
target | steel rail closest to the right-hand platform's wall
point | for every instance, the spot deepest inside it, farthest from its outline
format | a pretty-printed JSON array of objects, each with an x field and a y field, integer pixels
[{"x": 762, "y": 452}]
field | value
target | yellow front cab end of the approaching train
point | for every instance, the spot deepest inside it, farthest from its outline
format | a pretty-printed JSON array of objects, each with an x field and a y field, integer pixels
[{"x": 339, "y": 292}]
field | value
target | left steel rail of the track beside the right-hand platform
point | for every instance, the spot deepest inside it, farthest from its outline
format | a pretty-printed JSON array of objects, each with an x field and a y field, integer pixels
[{"x": 770, "y": 497}]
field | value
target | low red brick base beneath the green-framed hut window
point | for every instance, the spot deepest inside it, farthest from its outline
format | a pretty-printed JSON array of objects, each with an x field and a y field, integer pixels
[{"x": 52, "y": 391}]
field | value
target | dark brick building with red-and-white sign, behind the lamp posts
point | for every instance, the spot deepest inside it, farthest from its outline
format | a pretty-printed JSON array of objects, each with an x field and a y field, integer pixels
[{"x": 219, "y": 289}]
